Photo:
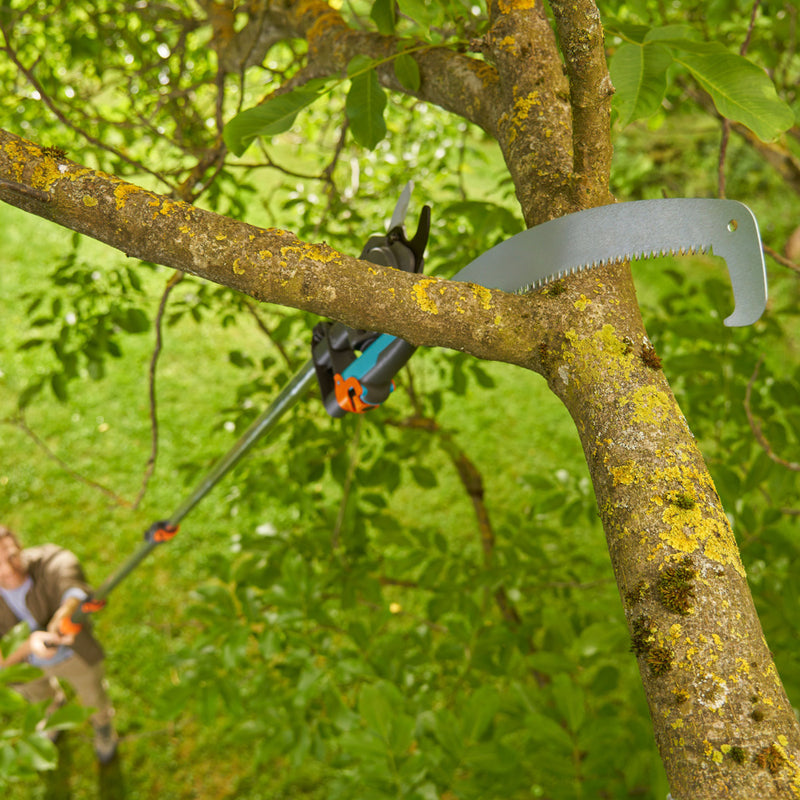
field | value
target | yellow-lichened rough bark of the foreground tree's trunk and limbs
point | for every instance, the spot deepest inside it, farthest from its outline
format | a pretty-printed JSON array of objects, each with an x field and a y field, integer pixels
[{"x": 721, "y": 718}]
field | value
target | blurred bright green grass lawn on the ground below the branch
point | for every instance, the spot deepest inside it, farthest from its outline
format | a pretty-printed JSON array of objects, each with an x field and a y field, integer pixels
[{"x": 102, "y": 434}]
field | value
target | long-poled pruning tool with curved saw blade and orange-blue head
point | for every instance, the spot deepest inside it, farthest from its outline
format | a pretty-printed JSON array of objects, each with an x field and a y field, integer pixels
[{"x": 355, "y": 368}]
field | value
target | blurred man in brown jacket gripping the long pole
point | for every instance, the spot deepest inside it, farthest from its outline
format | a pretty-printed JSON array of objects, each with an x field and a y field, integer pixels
[{"x": 40, "y": 586}]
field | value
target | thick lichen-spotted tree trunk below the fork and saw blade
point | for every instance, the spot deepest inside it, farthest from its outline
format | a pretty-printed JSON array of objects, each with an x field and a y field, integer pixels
[{"x": 721, "y": 718}]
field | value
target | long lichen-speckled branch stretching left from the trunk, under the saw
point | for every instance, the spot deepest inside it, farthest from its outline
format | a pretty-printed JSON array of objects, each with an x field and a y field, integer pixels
[{"x": 273, "y": 265}]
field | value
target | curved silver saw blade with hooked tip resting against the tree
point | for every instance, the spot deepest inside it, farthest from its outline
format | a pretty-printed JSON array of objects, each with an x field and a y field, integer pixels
[{"x": 633, "y": 230}]
